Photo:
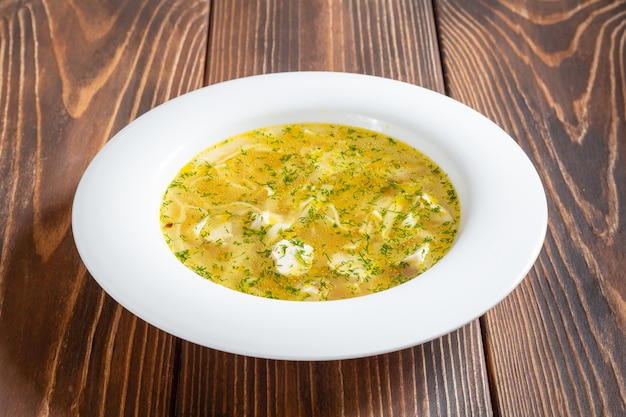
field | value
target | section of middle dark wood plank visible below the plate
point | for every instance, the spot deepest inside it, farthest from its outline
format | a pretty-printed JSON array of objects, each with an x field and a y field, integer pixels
[{"x": 444, "y": 377}]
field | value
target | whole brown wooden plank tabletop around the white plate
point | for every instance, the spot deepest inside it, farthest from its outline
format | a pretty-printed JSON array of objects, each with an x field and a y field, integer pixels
[{"x": 552, "y": 74}]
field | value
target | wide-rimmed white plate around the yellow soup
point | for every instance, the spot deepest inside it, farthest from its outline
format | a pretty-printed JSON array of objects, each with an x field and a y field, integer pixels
[{"x": 117, "y": 231}]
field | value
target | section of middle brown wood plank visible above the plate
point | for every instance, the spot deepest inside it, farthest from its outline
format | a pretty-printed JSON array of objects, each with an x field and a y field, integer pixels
[{"x": 389, "y": 39}]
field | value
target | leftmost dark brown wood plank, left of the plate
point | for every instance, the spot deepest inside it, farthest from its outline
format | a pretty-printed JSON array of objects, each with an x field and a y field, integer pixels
[{"x": 71, "y": 75}]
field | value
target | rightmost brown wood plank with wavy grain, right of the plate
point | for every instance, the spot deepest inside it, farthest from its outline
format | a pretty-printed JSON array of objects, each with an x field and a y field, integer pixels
[{"x": 552, "y": 74}]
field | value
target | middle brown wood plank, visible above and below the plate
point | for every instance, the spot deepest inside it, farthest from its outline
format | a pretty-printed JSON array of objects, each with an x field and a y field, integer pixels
[{"x": 445, "y": 377}]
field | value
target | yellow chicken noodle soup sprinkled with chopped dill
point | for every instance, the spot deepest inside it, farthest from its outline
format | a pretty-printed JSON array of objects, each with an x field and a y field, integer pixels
[{"x": 310, "y": 211}]
